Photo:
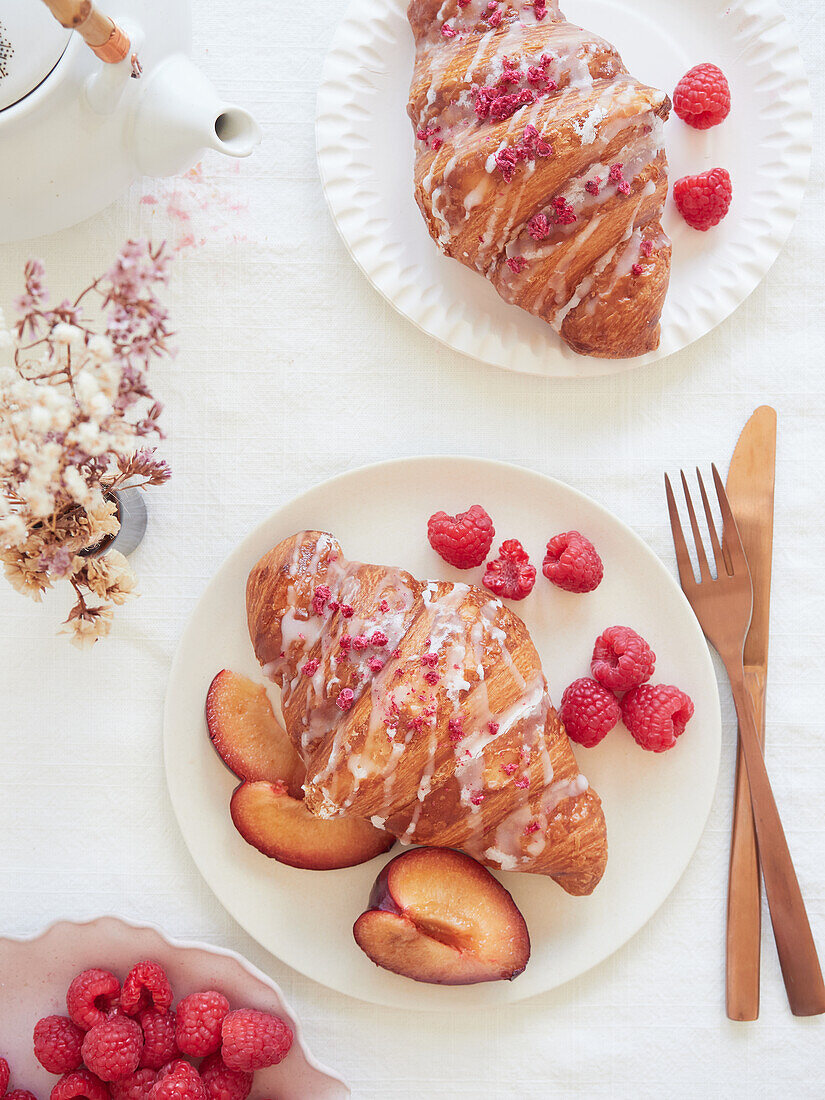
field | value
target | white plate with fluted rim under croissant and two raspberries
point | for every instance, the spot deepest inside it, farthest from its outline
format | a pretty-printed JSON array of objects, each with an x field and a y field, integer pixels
[{"x": 366, "y": 152}]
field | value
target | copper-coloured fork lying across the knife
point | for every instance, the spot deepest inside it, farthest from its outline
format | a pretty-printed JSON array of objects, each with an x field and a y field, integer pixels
[{"x": 723, "y": 607}]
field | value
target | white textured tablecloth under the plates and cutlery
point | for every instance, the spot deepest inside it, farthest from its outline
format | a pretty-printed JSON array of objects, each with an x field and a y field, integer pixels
[{"x": 292, "y": 370}]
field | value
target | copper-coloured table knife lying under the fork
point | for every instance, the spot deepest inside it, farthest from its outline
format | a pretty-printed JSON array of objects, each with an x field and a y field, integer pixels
[{"x": 751, "y": 491}]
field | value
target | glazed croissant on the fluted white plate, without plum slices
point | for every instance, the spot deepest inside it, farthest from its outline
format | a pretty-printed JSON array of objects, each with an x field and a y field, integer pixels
[{"x": 541, "y": 163}]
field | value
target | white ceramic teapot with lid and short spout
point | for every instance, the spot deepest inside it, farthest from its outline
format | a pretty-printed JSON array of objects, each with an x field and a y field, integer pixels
[{"x": 75, "y": 131}]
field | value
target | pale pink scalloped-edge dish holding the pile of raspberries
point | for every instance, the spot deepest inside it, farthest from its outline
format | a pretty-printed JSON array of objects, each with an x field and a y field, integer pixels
[{"x": 36, "y": 974}]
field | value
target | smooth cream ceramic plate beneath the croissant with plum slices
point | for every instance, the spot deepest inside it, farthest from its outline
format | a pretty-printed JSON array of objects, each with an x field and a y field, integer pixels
[{"x": 656, "y": 805}]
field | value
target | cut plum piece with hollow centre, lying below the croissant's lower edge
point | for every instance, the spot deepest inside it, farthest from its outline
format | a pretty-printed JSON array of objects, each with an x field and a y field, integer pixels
[{"x": 437, "y": 916}]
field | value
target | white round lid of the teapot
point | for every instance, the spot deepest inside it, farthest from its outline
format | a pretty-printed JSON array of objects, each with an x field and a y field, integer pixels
[{"x": 31, "y": 45}]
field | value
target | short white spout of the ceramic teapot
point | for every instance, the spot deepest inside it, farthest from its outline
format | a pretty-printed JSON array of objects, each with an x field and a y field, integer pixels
[{"x": 180, "y": 115}]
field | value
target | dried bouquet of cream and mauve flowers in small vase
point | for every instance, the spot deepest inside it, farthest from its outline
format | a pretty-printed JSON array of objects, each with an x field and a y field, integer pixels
[{"x": 78, "y": 420}]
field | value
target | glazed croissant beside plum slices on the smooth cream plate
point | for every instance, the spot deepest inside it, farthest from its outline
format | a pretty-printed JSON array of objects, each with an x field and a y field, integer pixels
[{"x": 423, "y": 708}]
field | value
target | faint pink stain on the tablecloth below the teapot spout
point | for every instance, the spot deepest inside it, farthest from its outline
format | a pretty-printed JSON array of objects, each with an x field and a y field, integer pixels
[{"x": 196, "y": 211}]
